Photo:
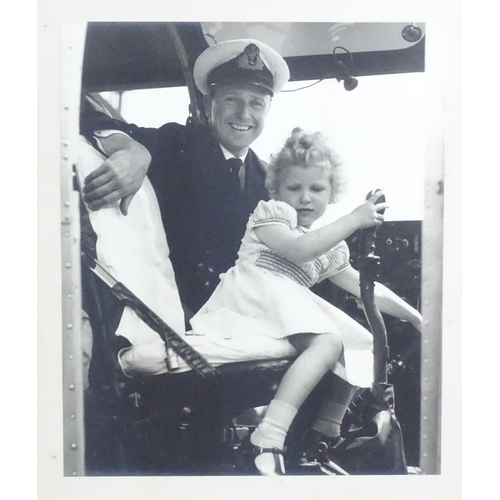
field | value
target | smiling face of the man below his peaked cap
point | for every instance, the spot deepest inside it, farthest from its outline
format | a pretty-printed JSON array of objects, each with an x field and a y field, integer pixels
[{"x": 237, "y": 114}]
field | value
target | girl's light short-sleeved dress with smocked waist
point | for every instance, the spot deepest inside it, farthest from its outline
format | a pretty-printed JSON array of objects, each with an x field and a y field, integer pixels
[{"x": 267, "y": 294}]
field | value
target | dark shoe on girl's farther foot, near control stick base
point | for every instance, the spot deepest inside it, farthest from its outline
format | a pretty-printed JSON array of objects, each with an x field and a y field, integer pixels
[{"x": 319, "y": 449}]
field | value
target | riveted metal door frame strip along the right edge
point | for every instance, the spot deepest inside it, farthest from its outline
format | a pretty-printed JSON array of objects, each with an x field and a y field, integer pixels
[{"x": 432, "y": 269}]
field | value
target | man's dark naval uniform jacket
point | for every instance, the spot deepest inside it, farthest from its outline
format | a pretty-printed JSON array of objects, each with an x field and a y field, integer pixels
[{"x": 204, "y": 212}]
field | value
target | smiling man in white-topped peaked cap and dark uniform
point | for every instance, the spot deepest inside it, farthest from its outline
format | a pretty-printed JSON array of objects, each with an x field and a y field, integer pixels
[{"x": 207, "y": 179}]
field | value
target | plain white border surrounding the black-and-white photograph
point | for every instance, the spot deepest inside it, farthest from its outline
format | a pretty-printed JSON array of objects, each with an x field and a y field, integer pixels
[{"x": 480, "y": 137}]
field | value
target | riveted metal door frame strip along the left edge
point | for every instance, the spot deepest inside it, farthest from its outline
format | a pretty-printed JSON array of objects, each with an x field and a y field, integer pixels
[{"x": 72, "y": 43}]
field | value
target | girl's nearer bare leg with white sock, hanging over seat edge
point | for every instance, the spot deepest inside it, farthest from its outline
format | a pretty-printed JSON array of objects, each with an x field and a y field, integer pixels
[{"x": 319, "y": 353}]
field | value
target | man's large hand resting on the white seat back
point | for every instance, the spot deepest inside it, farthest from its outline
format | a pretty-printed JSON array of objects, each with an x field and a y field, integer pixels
[{"x": 120, "y": 176}]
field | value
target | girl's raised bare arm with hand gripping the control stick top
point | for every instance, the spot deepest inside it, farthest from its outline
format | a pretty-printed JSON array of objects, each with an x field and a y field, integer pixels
[{"x": 309, "y": 246}]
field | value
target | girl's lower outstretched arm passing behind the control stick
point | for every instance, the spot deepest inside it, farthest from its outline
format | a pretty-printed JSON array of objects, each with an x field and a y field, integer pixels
[{"x": 387, "y": 301}]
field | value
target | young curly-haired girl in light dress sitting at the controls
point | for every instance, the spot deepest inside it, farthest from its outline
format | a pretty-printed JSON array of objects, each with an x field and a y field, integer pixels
[{"x": 267, "y": 293}]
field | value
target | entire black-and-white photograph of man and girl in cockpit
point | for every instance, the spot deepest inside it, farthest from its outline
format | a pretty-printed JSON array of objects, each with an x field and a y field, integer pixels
[{"x": 251, "y": 242}]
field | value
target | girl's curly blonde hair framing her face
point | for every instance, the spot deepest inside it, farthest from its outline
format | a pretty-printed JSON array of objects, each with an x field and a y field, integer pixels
[{"x": 305, "y": 150}]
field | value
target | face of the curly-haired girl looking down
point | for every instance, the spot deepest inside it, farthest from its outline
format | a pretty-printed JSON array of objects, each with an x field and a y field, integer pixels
[{"x": 308, "y": 190}]
